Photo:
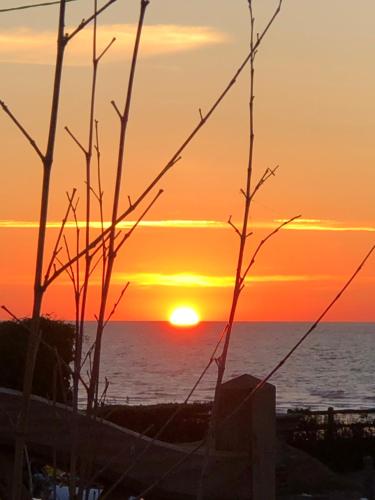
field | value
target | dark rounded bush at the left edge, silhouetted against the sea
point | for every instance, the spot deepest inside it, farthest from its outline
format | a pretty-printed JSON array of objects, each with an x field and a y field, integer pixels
[{"x": 52, "y": 377}]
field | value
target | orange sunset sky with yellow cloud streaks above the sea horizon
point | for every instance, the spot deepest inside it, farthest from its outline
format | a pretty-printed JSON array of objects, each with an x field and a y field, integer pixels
[{"x": 315, "y": 118}]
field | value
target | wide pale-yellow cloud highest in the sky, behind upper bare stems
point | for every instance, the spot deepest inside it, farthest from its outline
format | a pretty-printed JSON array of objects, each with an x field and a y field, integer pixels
[{"x": 28, "y": 46}]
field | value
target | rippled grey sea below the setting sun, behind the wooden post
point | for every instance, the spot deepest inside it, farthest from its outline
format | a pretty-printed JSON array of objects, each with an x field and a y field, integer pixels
[{"x": 155, "y": 362}]
